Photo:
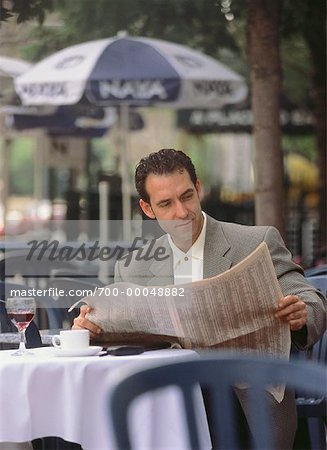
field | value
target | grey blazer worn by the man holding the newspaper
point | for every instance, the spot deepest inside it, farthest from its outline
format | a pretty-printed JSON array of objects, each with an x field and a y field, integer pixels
[{"x": 226, "y": 244}]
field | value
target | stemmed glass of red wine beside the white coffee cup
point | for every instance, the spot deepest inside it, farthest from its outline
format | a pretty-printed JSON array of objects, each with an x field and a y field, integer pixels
[{"x": 21, "y": 311}]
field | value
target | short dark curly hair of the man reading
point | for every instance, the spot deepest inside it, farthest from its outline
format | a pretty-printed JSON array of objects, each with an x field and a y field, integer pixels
[{"x": 164, "y": 161}]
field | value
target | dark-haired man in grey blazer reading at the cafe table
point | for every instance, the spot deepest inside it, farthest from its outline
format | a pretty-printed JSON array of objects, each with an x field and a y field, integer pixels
[{"x": 170, "y": 192}]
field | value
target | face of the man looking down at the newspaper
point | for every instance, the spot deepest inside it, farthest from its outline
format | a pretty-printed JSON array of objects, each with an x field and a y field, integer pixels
[{"x": 175, "y": 203}]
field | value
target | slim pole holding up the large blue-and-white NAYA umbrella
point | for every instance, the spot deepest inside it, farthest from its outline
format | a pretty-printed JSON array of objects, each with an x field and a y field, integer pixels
[{"x": 126, "y": 183}]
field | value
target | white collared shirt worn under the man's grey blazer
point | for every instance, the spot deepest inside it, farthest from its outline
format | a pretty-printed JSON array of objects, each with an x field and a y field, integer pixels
[{"x": 188, "y": 266}]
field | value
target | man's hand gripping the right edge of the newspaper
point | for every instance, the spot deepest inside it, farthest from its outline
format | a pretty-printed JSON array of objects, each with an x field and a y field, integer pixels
[{"x": 293, "y": 310}]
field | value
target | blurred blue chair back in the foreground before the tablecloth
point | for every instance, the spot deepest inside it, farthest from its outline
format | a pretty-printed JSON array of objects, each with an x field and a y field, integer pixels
[{"x": 217, "y": 373}]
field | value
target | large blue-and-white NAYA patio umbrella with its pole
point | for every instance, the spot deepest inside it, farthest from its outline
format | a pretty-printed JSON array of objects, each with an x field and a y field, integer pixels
[{"x": 130, "y": 71}]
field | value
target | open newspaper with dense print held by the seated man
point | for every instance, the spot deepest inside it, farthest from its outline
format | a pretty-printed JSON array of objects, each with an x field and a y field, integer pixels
[{"x": 233, "y": 310}]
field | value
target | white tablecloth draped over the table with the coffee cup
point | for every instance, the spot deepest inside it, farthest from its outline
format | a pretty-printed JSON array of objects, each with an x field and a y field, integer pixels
[{"x": 46, "y": 395}]
